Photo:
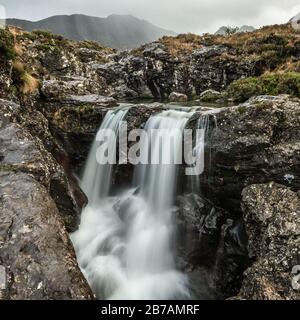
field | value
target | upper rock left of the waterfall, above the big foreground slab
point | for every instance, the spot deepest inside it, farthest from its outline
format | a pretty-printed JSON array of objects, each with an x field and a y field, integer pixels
[{"x": 21, "y": 151}]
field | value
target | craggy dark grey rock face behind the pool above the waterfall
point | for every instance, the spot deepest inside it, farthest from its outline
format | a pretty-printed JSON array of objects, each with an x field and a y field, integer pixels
[{"x": 157, "y": 74}]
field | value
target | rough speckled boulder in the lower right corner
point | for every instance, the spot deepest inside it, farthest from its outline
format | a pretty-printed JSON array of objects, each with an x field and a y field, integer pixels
[{"x": 272, "y": 217}]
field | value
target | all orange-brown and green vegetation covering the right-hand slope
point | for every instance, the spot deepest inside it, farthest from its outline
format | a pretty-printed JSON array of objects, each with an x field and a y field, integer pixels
[{"x": 274, "y": 50}]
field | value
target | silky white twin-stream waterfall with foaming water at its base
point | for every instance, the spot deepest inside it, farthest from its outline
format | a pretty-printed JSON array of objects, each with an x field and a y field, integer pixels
[{"x": 124, "y": 245}]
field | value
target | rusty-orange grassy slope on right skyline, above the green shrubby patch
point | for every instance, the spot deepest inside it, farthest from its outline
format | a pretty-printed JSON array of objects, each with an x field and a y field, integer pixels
[{"x": 270, "y": 48}]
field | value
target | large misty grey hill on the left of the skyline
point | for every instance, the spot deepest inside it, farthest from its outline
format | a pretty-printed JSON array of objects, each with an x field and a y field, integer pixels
[{"x": 116, "y": 31}]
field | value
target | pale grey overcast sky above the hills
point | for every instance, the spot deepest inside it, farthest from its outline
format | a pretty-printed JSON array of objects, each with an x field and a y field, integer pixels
[{"x": 196, "y": 16}]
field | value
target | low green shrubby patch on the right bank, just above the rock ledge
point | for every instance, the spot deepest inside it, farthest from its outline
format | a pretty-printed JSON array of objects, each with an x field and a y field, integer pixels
[{"x": 270, "y": 83}]
